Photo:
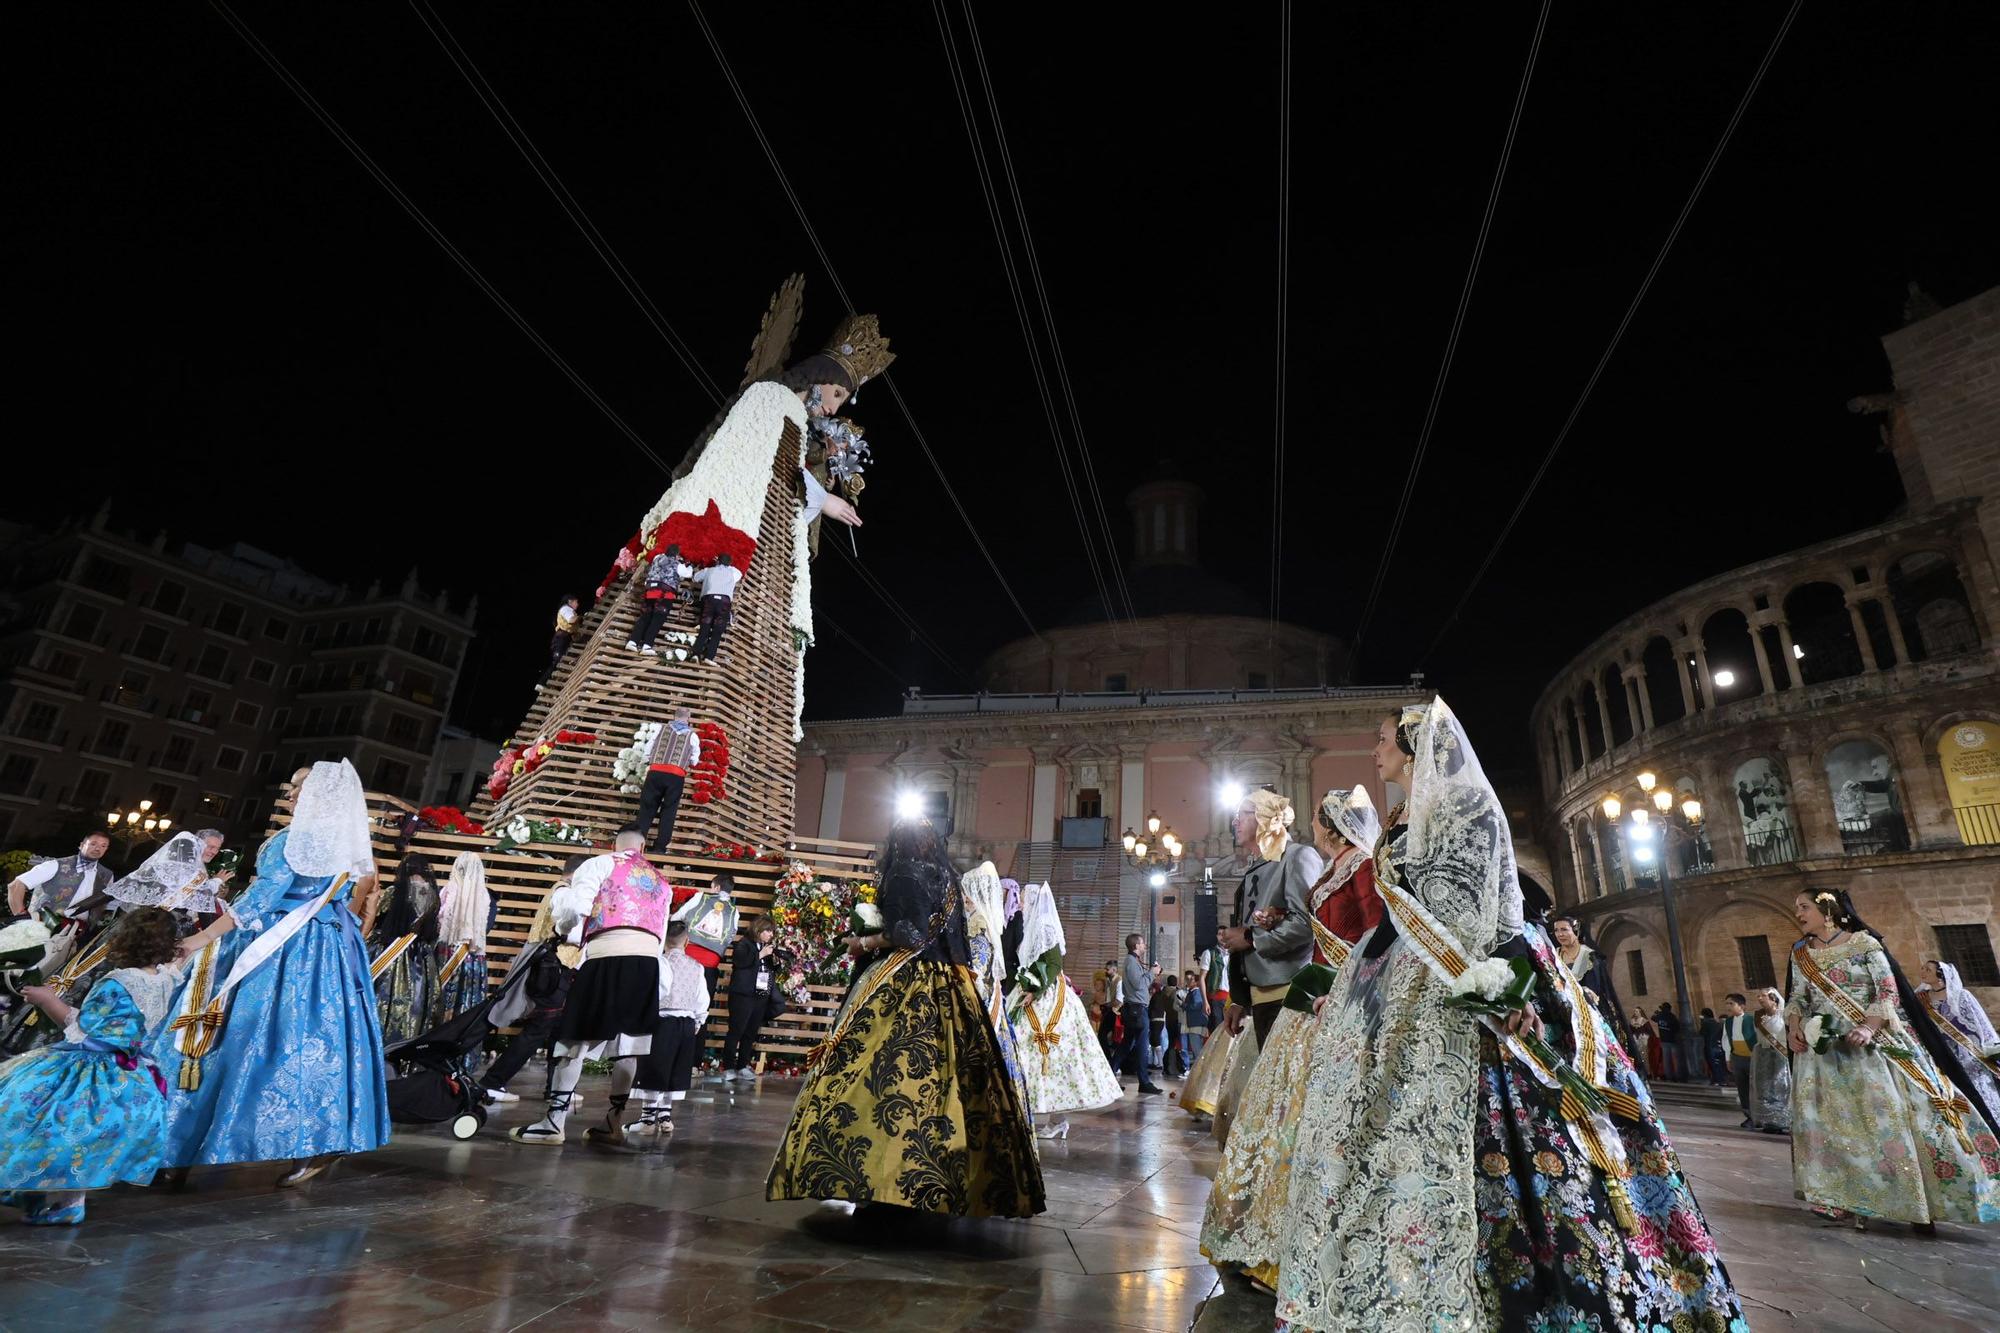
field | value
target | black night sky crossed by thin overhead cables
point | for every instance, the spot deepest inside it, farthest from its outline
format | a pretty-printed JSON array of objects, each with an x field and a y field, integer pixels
[{"x": 241, "y": 337}]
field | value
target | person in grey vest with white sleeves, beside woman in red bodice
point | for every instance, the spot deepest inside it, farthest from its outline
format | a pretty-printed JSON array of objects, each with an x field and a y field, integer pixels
[{"x": 1273, "y": 938}]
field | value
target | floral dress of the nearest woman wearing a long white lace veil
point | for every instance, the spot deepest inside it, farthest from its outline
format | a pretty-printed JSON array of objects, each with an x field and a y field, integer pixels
[{"x": 1437, "y": 1186}]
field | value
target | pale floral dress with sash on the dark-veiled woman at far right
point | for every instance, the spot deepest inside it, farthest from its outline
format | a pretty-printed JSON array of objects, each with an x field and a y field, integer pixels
[{"x": 1865, "y": 1136}]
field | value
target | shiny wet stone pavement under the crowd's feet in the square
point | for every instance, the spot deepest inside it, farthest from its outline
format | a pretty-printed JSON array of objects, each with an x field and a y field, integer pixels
[{"x": 433, "y": 1234}]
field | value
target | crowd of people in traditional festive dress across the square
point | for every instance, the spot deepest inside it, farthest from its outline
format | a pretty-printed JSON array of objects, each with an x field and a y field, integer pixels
[{"x": 1431, "y": 1102}]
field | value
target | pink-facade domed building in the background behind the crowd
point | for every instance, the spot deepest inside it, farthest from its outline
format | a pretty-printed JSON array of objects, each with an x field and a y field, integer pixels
[{"x": 1103, "y": 724}]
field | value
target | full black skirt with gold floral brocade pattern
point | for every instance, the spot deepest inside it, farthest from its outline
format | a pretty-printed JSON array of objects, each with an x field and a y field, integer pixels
[{"x": 911, "y": 1104}]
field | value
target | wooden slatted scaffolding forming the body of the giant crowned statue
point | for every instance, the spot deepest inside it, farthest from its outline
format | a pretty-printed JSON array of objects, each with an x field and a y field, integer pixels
[{"x": 609, "y": 692}]
